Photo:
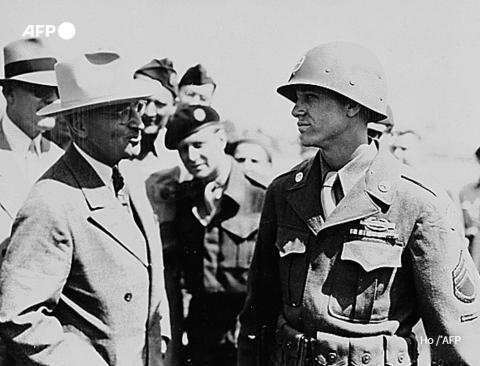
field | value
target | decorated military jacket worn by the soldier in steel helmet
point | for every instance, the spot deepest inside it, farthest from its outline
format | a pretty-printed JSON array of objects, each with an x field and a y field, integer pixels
[{"x": 392, "y": 251}]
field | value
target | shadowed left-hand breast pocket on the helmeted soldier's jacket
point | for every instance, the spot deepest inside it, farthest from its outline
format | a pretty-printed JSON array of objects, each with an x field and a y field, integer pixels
[{"x": 292, "y": 247}]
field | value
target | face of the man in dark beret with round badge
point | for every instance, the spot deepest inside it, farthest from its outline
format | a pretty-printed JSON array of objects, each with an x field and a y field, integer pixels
[{"x": 202, "y": 152}]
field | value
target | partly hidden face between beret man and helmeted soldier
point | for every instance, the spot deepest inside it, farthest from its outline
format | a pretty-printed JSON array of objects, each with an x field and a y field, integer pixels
[{"x": 252, "y": 158}]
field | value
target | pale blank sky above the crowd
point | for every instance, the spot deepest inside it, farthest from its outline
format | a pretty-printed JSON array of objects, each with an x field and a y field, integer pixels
[{"x": 429, "y": 48}]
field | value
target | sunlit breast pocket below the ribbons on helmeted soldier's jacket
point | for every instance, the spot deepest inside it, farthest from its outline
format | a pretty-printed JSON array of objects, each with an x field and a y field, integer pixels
[{"x": 362, "y": 280}]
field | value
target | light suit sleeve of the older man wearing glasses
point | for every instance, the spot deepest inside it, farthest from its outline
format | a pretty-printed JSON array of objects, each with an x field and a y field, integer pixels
[{"x": 33, "y": 274}]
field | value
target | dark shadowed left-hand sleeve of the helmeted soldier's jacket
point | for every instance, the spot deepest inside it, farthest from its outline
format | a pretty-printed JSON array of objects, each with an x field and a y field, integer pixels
[{"x": 263, "y": 304}]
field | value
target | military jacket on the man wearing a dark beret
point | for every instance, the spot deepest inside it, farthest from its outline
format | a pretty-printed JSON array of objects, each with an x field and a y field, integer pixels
[{"x": 216, "y": 257}]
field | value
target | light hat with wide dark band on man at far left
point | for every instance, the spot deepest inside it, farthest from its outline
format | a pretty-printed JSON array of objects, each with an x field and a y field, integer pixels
[{"x": 29, "y": 60}]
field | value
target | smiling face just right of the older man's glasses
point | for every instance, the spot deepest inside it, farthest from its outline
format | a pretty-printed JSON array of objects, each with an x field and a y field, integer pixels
[{"x": 160, "y": 106}]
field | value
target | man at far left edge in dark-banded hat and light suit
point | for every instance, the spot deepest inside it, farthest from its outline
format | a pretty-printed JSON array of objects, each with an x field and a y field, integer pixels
[{"x": 28, "y": 85}]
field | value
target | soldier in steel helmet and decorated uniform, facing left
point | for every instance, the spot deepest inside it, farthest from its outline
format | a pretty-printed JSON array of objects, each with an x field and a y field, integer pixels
[{"x": 354, "y": 247}]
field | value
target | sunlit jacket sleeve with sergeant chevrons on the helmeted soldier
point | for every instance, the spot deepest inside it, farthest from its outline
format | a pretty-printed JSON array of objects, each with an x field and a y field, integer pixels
[{"x": 448, "y": 284}]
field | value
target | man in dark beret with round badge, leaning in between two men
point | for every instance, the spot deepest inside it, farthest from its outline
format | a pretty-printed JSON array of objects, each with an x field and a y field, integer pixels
[{"x": 216, "y": 224}]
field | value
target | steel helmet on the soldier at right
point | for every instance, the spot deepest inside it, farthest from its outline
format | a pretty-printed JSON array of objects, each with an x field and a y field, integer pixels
[{"x": 346, "y": 68}]
